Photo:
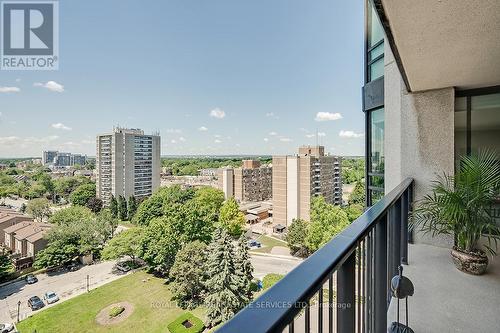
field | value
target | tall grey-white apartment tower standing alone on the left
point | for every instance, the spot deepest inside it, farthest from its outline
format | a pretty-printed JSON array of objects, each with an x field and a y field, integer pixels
[{"x": 127, "y": 163}]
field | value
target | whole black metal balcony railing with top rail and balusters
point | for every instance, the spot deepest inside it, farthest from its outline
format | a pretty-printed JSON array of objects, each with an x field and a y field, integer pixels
[{"x": 344, "y": 286}]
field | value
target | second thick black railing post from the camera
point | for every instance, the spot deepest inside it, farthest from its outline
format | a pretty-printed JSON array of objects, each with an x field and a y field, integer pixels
[{"x": 380, "y": 277}]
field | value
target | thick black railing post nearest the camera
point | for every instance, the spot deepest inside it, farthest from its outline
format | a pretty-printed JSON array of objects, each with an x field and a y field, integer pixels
[{"x": 346, "y": 315}]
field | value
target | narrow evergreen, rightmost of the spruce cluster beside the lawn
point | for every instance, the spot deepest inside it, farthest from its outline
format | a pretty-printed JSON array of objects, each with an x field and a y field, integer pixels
[{"x": 244, "y": 269}]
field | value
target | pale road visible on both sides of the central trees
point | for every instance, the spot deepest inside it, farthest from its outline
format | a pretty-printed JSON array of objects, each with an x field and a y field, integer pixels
[{"x": 70, "y": 284}]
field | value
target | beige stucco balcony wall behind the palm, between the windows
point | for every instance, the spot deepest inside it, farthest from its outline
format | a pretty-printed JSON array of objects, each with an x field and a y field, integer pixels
[{"x": 419, "y": 137}]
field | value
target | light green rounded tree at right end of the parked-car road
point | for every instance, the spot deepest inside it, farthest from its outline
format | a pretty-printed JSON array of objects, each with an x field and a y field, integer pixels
[{"x": 126, "y": 243}]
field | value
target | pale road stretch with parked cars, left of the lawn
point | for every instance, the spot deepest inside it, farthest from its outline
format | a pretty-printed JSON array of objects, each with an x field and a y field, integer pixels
[{"x": 65, "y": 285}]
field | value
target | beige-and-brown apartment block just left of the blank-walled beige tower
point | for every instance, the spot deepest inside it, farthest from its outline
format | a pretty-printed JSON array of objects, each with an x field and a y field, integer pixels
[{"x": 250, "y": 183}]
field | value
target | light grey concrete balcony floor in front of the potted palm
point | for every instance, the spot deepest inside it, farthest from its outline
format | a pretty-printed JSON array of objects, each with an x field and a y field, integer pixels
[{"x": 447, "y": 300}]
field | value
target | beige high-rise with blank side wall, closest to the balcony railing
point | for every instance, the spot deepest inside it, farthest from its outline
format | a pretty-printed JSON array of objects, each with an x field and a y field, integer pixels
[{"x": 296, "y": 179}]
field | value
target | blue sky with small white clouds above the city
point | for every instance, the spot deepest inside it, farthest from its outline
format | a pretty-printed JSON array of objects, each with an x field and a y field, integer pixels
[{"x": 213, "y": 77}]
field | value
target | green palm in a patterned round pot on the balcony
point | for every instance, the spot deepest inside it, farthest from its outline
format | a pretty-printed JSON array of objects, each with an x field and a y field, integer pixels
[{"x": 460, "y": 205}]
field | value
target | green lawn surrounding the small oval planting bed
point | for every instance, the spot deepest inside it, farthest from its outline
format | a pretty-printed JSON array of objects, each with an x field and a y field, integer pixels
[{"x": 151, "y": 299}]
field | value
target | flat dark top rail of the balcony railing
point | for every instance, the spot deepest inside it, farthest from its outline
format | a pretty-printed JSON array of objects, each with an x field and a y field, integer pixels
[{"x": 273, "y": 310}]
